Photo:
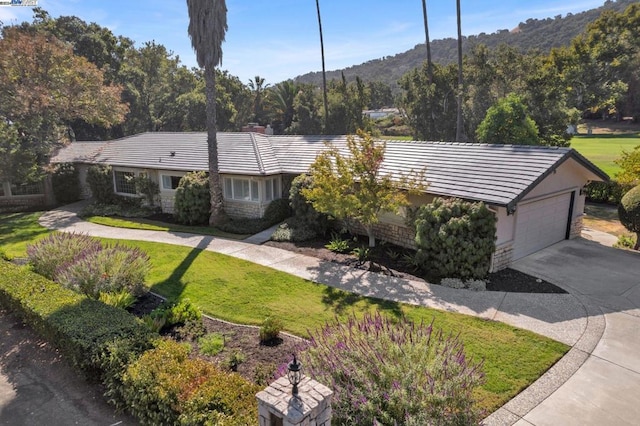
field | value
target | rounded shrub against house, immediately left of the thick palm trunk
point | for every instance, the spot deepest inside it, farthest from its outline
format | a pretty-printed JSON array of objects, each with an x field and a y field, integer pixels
[{"x": 192, "y": 199}]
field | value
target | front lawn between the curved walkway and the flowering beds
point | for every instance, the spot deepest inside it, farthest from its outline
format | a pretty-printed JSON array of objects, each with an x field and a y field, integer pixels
[{"x": 240, "y": 291}]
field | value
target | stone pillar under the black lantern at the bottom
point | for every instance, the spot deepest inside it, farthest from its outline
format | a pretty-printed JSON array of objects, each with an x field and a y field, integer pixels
[{"x": 277, "y": 406}]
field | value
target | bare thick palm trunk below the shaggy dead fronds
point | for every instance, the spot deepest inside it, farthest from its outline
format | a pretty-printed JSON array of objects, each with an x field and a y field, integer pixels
[{"x": 217, "y": 205}]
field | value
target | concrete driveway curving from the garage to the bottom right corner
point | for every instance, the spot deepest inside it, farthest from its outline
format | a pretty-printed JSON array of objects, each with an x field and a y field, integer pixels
[{"x": 605, "y": 388}]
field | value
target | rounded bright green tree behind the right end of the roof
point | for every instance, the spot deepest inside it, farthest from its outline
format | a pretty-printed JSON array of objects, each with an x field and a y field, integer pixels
[{"x": 507, "y": 122}]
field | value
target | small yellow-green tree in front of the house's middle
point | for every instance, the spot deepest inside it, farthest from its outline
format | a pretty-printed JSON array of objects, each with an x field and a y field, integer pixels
[{"x": 353, "y": 187}]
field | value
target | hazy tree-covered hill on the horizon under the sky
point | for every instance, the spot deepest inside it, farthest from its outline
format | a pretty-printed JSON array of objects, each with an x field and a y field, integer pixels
[{"x": 541, "y": 34}]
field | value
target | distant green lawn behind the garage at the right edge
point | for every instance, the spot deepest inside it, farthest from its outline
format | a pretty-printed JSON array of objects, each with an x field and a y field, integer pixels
[{"x": 602, "y": 150}]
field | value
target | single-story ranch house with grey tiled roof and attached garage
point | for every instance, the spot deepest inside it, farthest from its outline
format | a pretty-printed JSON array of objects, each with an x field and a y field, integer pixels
[{"x": 536, "y": 192}]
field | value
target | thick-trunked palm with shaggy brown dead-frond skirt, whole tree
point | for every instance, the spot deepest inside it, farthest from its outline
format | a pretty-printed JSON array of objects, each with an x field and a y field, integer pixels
[{"x": 207, "y": 28}]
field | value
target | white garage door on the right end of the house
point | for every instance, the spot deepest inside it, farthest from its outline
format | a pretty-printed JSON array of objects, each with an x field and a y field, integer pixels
[{"x": 540, "y": 224}]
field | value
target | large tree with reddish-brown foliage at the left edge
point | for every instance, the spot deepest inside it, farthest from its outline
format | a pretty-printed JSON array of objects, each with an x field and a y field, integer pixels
[{"x": 45, "y": 87}]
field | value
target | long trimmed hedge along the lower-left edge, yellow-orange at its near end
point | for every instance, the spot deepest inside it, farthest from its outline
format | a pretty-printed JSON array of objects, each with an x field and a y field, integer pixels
[{"x": 114, "y": 347}]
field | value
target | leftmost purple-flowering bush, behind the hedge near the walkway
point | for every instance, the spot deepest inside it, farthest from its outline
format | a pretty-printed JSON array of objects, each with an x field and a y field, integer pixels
[{"x": 59, "y": 248}]
